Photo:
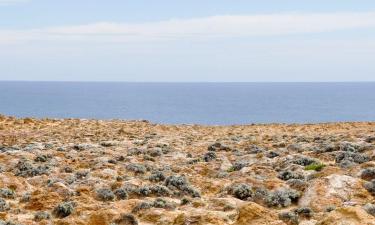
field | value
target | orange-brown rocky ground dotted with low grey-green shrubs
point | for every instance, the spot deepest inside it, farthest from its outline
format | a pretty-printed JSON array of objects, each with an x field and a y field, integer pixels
[{"x": 136, "y": 172}]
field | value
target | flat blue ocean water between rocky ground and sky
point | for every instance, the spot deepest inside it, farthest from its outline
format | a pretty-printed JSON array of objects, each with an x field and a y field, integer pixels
[{"x": 192, "y": 103}]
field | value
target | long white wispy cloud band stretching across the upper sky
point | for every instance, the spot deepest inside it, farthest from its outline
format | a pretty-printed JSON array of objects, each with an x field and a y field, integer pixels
[{"x": 199, "y": 28}]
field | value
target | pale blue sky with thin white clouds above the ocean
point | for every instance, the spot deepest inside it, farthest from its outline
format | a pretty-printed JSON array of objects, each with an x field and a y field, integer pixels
[{"x": 187, "y": 40}]
